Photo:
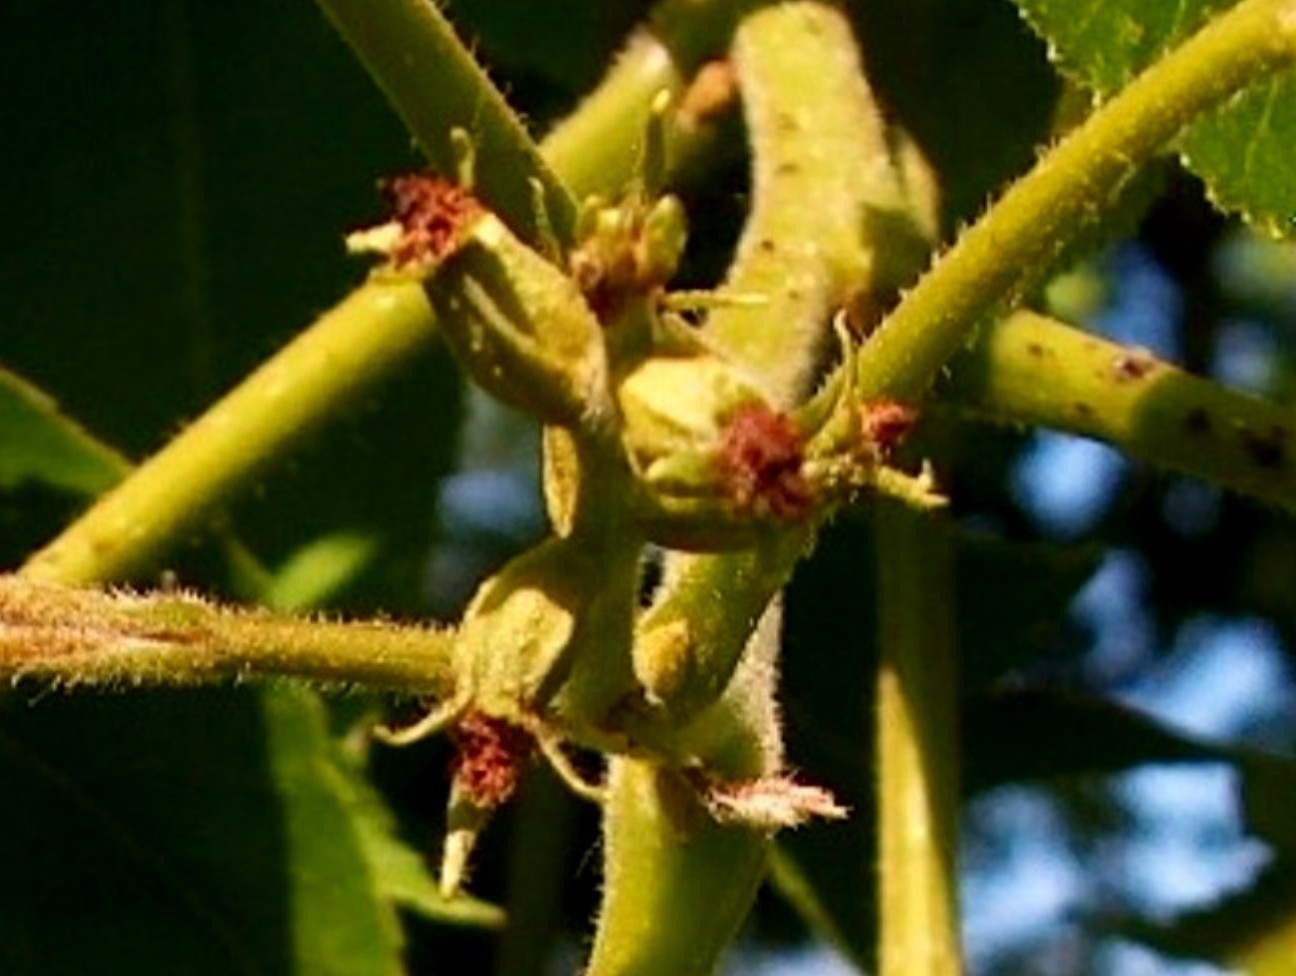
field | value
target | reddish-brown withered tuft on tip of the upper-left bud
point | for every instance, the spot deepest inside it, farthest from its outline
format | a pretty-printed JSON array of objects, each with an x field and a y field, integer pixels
[{"x": 434, "y": 215}]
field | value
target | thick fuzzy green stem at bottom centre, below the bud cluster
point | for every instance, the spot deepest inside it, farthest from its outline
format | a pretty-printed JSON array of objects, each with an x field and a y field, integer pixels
[{"x": 677, "y": 881}]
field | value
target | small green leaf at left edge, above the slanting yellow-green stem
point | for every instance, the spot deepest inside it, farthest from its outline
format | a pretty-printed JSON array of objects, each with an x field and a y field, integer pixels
[{"x": 38, "y": 444}]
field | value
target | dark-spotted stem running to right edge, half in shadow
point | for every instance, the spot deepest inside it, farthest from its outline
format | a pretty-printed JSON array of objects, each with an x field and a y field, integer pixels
[{"x": 1035, "y": 371}]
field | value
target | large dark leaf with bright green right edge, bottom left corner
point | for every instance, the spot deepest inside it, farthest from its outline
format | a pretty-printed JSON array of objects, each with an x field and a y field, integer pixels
[{"x": 198, "y": 833}]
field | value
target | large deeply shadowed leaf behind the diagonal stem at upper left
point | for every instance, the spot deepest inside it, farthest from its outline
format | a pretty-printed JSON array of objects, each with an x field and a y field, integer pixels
[{"x": 181, "y": 187}]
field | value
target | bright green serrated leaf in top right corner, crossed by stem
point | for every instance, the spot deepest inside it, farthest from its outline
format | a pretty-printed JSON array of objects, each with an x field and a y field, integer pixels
[{"x": 1242, "y": 151}]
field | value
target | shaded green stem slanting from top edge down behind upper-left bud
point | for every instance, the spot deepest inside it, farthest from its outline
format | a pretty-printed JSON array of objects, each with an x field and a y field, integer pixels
[{"x": 436, "y": 86}]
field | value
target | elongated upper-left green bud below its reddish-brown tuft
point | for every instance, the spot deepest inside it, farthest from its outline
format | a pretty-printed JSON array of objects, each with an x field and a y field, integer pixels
[{"x": 522, "y": 327}]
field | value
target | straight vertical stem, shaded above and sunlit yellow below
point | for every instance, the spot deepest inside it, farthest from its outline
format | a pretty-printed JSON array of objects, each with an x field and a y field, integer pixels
[{"x": 917, "y": 749}]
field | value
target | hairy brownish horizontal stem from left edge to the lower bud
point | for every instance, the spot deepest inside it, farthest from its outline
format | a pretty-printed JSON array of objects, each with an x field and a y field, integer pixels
[{"x": 89, "y": 637}]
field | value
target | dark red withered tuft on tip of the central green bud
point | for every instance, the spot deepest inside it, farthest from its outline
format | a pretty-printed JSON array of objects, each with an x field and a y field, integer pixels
[{"x": 761, "y": 456}]
